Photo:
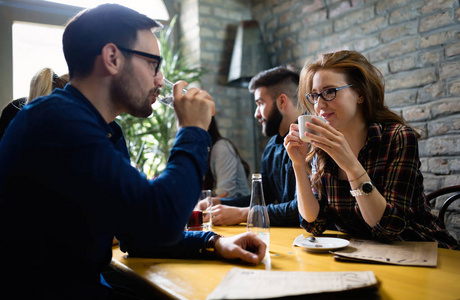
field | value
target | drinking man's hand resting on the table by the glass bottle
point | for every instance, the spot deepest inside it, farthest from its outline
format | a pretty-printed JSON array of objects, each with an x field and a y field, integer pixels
[{"x": 246, "y": 246}]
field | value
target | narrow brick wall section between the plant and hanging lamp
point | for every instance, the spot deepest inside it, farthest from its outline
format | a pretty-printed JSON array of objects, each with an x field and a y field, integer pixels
[{"x": 209, "y": 30}]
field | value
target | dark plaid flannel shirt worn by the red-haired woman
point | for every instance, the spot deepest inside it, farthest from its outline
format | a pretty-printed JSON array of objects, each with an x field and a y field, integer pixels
[{"x": 390, "y": 157}]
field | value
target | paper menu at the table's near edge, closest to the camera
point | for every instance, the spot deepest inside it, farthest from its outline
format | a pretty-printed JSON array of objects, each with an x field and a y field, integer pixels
[{"x": 261, "y": 284}]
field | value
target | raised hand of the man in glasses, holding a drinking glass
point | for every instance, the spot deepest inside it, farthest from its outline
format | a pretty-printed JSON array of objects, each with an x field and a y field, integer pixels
[{"x": 195, "y": 108}]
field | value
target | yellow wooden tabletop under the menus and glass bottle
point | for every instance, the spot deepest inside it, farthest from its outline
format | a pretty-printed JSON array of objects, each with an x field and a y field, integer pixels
[{"x": 195, "y": 279}]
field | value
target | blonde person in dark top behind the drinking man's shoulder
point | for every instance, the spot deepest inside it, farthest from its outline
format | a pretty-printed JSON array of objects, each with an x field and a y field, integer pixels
[{"x": 42, "y": 84}]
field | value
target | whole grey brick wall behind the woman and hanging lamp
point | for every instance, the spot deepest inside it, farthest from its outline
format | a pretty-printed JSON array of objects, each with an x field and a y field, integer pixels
[{"x": 415, "y": 43}]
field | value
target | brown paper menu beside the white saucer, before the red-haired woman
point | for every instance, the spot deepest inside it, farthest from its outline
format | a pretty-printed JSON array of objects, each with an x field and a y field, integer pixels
[{"x": 399, "y": 253}]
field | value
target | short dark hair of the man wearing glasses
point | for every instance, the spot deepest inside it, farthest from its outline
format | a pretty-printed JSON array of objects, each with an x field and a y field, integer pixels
[{"x": 90, "y": 30}]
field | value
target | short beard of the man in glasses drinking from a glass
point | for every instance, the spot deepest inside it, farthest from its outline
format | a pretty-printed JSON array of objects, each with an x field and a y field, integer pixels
[{"x": 126, "y": 91}]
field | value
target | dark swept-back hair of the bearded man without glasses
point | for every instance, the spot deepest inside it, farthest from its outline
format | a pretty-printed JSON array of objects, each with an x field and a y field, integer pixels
[{"x": 278, "y": 80}]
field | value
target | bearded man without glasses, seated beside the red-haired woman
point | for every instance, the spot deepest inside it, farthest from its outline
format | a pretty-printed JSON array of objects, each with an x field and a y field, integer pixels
[{"x": 275, "y": 93}]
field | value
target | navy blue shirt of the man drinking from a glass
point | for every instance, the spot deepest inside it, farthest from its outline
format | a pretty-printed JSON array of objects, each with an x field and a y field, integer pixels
[{"x": 67, "y": 188}]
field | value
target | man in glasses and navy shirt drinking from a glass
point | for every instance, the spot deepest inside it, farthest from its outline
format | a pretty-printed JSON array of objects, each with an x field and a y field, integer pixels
[{"x": 66, "y": 183}]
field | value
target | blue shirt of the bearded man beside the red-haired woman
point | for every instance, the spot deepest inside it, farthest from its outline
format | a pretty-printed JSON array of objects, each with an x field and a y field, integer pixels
[{"x": 279, "y": 184}]
